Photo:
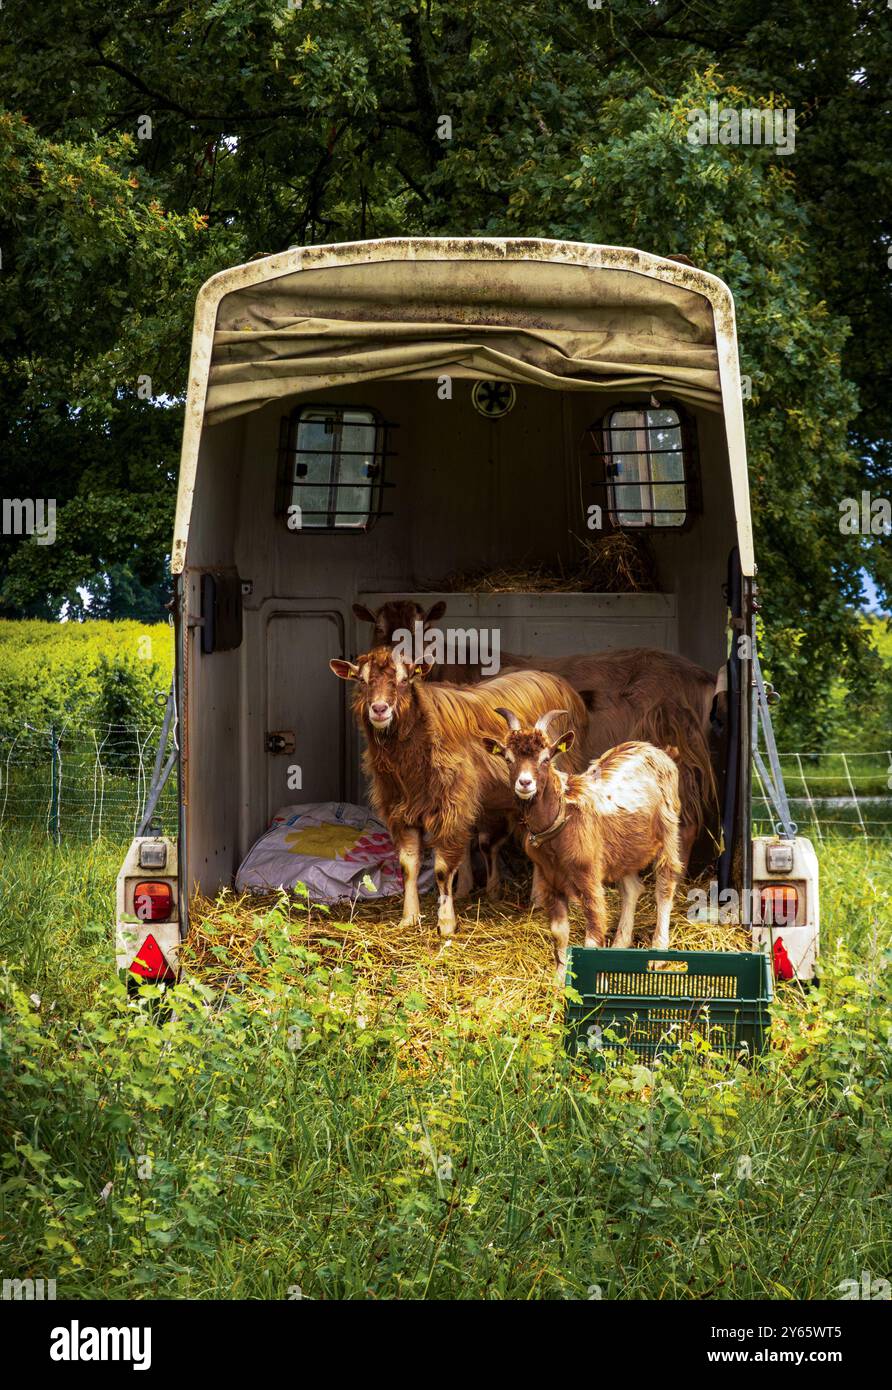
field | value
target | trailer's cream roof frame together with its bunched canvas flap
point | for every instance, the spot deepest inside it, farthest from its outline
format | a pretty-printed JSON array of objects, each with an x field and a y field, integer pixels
[{"x": 556, "y": 315}]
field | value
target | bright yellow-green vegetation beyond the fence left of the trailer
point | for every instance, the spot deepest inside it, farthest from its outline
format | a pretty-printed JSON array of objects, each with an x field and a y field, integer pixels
[{"x": 83, "y": 673}]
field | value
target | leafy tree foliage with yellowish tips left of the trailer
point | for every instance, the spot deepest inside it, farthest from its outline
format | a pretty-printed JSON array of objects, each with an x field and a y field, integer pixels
[{"x": 97, "y": 362}]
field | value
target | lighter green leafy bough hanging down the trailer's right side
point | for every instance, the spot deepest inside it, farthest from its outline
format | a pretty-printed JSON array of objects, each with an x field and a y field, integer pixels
[{"x": 740, "y": 216}]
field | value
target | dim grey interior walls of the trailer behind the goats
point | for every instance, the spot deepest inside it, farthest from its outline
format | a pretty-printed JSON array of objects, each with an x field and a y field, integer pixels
[{"x": 469, "y": 494}]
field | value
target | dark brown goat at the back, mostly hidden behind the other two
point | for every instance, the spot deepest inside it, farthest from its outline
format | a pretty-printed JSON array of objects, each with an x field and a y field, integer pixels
[{"x": 640, "y": 694}]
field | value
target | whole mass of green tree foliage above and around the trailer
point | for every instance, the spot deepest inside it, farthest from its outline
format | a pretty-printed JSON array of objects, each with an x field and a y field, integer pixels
[{"x": 274, "y": 126}]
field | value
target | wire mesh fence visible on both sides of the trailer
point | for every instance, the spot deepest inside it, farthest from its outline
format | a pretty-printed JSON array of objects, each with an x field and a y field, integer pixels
[{"x": 90, "y": 782}]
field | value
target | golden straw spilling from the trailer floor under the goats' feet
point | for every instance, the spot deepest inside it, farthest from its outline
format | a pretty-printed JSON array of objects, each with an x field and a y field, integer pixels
[{"x": 497, "y": 971}]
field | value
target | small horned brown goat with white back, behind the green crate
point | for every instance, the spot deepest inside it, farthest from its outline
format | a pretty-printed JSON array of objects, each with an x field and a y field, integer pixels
[{"x": 605, "y": 824}]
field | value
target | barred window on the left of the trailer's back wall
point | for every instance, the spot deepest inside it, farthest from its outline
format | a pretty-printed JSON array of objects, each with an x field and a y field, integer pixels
[{"x": 331, "y": 468}]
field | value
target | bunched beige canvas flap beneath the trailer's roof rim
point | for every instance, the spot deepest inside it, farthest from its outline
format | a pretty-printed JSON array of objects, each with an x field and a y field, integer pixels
[{"x": 568, "y": 327}]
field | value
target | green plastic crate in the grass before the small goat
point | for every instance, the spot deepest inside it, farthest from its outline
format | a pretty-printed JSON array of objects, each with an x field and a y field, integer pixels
[{"x": 654, "y": 1000}]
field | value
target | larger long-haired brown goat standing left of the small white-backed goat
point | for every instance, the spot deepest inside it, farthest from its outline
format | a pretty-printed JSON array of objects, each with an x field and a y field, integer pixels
[{"x": 430, "y": 774}]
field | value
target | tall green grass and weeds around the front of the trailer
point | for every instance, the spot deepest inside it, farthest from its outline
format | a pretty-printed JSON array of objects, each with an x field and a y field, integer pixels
[{"x": 276, "y": 1145}]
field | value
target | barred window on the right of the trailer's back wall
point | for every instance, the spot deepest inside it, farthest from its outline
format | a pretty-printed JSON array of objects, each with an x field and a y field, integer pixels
[{"x": 647, "y": 468}]
